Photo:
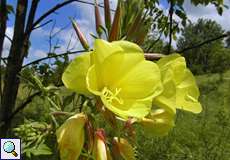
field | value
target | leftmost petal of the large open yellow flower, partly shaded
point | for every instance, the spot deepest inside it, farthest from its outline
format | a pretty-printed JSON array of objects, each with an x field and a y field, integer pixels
[{"x": 74, "y": 77}]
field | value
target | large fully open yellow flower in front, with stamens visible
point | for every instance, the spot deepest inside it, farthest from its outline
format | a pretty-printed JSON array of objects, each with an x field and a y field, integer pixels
[{"x": 118, "y": 73}]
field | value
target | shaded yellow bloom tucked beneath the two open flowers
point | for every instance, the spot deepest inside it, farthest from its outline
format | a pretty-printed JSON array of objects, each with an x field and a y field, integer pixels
[{"x": 158, "y": 123}]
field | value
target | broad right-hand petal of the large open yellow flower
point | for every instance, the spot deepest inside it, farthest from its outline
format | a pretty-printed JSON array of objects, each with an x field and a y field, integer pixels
[{"x": 141, "y": 82}]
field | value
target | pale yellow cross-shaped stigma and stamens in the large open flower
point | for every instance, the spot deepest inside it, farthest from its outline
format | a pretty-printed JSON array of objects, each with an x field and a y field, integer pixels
[{"x": 111, "y": 96}]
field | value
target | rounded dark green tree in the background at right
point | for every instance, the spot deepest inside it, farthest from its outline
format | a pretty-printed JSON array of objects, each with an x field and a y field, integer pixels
[{"x": 202, "y": 59}]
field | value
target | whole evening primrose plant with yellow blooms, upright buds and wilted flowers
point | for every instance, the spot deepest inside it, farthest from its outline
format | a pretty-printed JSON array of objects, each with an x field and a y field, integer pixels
[{"x": 126, "y": 90}]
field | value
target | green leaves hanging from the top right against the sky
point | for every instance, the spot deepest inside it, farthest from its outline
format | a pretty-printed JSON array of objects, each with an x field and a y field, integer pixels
[{"x": 161, "y": 21}]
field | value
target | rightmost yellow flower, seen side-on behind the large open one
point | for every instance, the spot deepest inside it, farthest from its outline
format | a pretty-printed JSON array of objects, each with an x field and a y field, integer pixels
[{"x": 180, "y": 88}]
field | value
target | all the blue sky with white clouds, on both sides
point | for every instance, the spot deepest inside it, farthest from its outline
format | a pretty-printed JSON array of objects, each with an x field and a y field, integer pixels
[{"x": 84, "y": 14}]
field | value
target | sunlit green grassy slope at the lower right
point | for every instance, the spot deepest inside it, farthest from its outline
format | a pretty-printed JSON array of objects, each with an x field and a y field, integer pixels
[{"x": 205, "y": 136}]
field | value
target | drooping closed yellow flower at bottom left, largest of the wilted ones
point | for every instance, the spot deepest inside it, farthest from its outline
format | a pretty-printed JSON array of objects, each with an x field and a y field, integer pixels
[{"x": 71, "y": 137}]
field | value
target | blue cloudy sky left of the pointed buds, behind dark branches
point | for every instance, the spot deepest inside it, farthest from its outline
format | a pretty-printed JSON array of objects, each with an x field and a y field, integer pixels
[{"x": 40, "y": 37}]
